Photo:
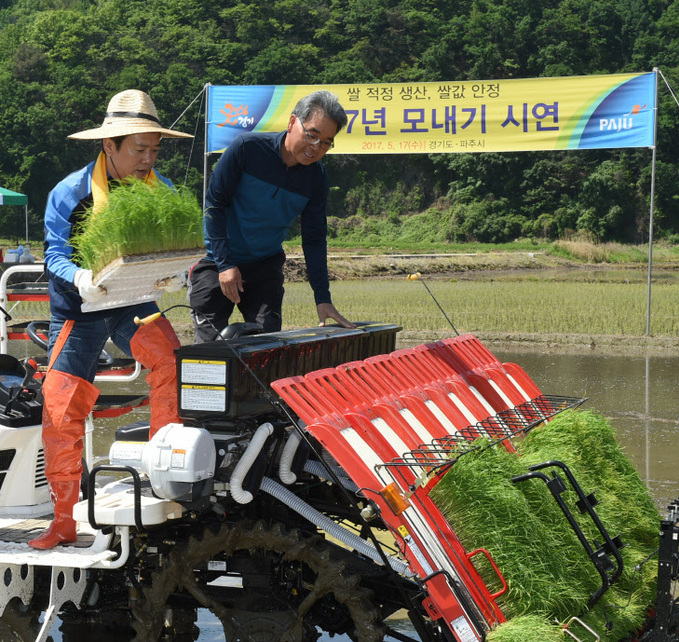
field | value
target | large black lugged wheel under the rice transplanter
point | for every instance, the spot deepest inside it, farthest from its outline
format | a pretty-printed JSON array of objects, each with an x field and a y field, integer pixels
[{"x": 299, "y": 588}]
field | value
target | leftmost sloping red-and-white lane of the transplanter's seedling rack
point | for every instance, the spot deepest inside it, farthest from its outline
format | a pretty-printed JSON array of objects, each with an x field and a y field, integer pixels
[{"x": 362, "y": 450}]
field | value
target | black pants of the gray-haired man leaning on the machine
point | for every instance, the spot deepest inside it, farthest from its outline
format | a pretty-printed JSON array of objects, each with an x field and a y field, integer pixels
[{"x": 260, "y": 302}]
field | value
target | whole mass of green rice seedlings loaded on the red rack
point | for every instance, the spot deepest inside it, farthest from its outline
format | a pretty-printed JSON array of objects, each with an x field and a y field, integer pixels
[{"x": 549, "y": 574}]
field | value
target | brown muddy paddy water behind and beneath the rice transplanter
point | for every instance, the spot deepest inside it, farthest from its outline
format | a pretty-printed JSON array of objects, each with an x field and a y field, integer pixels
[{"x": 637, "y": 394}]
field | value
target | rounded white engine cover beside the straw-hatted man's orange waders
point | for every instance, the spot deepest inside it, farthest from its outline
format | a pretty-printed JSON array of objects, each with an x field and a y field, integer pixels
[{"x": 176, "y": 457}]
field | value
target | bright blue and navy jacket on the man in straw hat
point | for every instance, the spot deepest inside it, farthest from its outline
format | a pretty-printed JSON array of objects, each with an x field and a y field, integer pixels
[{"x": 66, "y": 206}]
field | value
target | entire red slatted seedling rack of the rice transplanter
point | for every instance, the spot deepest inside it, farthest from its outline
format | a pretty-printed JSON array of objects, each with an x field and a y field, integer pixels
[{"x": 399, "y": 418}]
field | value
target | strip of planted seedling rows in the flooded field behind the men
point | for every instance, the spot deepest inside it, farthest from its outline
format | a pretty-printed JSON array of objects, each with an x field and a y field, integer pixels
[{"x": 497, "y": 306}]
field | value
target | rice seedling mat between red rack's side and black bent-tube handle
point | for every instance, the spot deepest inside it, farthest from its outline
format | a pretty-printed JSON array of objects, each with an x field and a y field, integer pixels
[{"x": 487, "y": 511}]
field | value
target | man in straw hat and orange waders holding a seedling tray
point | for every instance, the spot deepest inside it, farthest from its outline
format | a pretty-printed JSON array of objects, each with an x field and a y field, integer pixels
[{"x": 130, "y": 139}]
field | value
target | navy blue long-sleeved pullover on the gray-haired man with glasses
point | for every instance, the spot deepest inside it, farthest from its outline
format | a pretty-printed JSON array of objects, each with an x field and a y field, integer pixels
[{"x": 253, "y": 198}]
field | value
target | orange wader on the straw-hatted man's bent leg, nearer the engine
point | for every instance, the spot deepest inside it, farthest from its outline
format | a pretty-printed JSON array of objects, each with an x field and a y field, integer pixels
[{"x": 153, "y": 345}]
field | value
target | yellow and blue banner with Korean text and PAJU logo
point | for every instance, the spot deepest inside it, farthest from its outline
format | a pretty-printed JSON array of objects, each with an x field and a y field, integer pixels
[{"x": 579, "y": 112}]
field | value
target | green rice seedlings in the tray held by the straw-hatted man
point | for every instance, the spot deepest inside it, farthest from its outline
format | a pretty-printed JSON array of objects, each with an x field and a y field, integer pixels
[{"x": 139, "y": 219}]
